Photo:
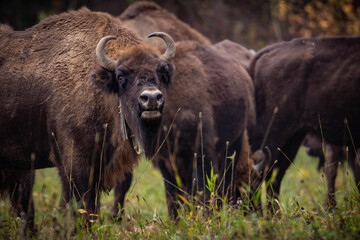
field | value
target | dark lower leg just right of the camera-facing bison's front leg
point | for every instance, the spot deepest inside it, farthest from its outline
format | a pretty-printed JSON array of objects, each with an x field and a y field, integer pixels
[{"x": 120, "y": 191}]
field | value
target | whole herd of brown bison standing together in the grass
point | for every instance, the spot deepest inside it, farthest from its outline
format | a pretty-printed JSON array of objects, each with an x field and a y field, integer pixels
[{"x": 87, "y": 93}]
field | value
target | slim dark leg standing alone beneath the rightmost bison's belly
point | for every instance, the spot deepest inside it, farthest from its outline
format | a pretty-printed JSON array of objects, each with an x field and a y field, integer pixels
[{"x": 332, "y": 156}]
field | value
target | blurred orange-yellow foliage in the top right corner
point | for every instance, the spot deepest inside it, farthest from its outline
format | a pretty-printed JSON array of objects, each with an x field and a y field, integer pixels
[{"x": 321, "y": 18}]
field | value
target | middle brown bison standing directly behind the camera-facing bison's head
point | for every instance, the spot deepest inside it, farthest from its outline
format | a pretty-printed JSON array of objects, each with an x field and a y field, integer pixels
[{"x": 209, "y": 81}]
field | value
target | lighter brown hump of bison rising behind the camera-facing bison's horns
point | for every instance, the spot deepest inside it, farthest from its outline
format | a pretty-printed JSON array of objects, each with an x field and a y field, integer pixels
[{"x": 146, "y": 17}]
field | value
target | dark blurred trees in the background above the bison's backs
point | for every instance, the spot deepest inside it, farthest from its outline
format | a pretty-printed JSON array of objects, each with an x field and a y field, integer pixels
[{"x": 253, "y": 23}]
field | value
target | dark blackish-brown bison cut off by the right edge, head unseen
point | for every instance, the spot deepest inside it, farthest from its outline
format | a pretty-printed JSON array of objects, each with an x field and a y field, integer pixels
[{"x": 306, "y": 85}]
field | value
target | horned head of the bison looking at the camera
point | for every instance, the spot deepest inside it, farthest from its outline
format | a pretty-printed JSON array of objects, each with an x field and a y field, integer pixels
[{"x": 139, "y": 77}]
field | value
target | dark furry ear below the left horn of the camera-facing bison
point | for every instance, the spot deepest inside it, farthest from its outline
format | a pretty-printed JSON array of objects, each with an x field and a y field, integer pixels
[{"x": 105, "y": 80}]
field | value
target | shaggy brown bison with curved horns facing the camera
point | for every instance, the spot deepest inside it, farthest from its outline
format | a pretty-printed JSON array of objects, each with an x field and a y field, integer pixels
[{"x": 54, "y": 111}]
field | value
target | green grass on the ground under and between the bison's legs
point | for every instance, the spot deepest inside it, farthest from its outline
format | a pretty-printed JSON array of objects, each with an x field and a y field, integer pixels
[{"x": 301, "y": 216}]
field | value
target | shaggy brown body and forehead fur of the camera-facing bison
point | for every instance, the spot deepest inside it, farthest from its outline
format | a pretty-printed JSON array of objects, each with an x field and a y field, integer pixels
[{"x": 51, "y": 108}]
